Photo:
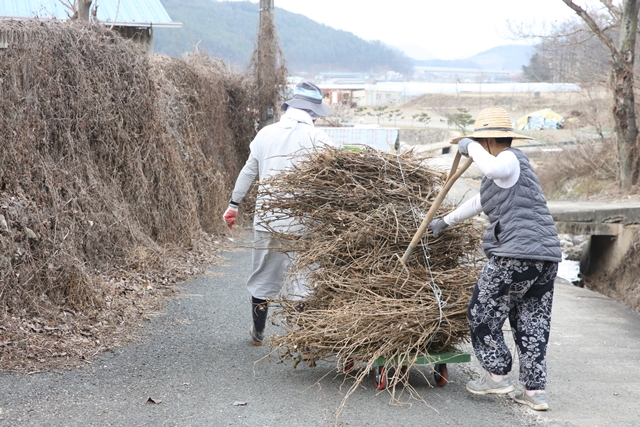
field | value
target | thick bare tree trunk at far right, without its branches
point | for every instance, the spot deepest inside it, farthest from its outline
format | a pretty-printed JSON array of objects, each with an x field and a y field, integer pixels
[{"x": 622, "y": 85}]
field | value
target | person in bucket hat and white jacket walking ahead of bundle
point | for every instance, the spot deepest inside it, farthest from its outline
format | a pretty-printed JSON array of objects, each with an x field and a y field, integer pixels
[{"x": 275, "y": 148}]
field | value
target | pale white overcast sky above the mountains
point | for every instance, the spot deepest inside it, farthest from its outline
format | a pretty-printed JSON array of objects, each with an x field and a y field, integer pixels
[{"x": 447, "y": 29}]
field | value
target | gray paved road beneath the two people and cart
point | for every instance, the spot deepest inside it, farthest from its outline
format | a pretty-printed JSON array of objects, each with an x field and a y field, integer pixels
[{"x": 196, "y": 360}]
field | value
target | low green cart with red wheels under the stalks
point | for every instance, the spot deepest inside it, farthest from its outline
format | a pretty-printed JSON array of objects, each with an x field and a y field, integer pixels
[{"x": 439, "y": 360}]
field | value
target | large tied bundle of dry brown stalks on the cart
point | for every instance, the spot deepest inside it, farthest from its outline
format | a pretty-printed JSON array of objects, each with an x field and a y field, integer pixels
[{"x": 360, "y": 211}]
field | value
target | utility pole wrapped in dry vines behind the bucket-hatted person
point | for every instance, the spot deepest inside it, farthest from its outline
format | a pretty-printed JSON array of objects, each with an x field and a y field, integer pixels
[{"x": 267, "y": 49}]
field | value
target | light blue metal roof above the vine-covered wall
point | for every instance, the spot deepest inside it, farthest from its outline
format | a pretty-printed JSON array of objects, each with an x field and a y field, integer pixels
[{"x": 126, "y": 13}]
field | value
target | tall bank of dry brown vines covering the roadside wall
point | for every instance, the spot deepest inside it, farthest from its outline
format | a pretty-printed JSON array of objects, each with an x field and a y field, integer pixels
[{"x": 114, "y": 168}]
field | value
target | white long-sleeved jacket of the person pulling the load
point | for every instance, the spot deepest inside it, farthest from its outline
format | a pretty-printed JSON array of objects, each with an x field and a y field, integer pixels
[{"x": 274, "y": 149}]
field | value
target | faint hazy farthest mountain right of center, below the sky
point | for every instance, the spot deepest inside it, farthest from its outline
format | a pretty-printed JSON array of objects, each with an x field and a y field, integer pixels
[{"x": 509, "y": 58}]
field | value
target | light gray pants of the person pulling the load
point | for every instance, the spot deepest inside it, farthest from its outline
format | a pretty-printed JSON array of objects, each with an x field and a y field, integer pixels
[{"x": 270, "y": 269}]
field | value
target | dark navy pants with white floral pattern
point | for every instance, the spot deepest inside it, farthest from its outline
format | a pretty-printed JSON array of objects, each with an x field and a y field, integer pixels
[{"x": 523, "y": 291}]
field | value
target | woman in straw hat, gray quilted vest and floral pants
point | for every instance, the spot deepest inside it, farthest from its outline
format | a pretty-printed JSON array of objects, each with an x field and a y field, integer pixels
[{"x": 523, "y": 251}]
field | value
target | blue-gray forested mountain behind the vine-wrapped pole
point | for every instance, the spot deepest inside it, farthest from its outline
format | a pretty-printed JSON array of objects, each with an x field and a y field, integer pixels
[{"x": 227, "y": 30}]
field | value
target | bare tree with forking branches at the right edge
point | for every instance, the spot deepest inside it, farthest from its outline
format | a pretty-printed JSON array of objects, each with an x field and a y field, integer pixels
[{"x": 625, "y": 17}]
